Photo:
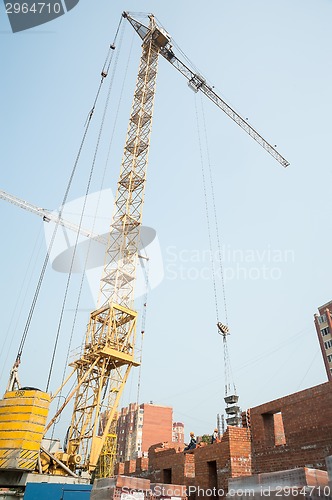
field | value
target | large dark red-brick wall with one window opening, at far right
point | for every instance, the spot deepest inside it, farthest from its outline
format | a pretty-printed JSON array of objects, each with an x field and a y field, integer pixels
[{"x": 307, "y": 422}]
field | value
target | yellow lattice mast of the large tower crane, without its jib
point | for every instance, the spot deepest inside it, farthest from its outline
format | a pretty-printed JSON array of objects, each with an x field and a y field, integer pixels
[{"x": 108, "y": 353}]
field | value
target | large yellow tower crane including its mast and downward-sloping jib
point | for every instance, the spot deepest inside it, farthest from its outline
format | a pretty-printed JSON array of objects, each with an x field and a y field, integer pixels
[{"x": 108, "y": 352}]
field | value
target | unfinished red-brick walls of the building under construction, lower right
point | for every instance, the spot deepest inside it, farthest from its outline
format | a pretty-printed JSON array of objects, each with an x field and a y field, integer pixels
[{"x": 288, "y": 433}]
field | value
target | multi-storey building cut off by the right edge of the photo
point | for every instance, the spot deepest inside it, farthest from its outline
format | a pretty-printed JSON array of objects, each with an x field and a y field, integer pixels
[{"x": 323, "y": 323}]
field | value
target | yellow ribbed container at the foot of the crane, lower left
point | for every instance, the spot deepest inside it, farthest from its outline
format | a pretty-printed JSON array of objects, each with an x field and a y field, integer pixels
[{"x": 23, "y": 417}]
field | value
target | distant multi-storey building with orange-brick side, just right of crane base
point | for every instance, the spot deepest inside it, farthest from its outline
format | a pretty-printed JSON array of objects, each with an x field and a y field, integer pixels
[{"x": 141, "y": 426}]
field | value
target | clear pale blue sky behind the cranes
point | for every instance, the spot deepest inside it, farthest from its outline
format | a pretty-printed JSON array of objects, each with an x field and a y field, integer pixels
[{"x": 271, "y": 60}]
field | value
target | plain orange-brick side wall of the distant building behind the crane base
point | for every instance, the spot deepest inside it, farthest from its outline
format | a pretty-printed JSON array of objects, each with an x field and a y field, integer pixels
[{"x": 157, "y": 425}]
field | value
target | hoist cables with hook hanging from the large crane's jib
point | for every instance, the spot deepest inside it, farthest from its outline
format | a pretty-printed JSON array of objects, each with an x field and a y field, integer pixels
[{"x": 222, "y": 329}]
